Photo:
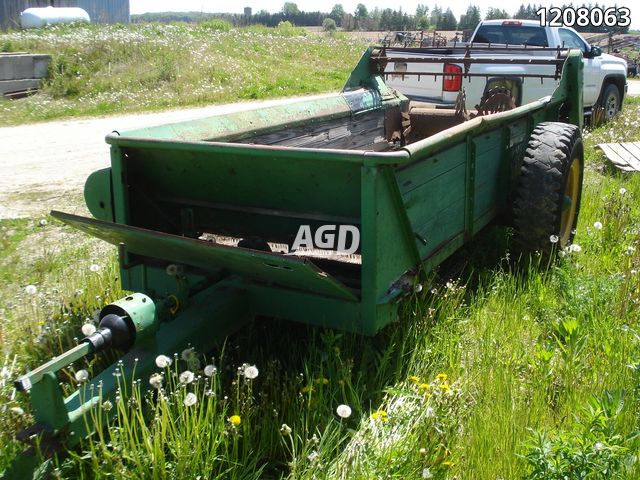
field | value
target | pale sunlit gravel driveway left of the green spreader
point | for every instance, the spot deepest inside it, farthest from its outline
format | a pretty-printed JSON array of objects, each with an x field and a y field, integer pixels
[{"x": 44, "y": 166}]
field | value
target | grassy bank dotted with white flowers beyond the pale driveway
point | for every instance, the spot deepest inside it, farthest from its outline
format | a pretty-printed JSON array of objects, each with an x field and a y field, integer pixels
[{"x": 98, "y": 70}]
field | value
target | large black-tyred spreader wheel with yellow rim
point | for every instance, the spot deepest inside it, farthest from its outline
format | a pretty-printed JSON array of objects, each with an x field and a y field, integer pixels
[{"x": 547, "y": 199}]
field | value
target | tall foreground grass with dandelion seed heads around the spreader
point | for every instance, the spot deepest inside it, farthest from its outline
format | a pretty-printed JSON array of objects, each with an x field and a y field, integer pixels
[{"x": 498, "y": 372}]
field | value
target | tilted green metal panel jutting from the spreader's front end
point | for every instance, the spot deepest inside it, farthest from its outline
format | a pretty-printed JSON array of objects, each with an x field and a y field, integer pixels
[{"x": 277, "y": 269}]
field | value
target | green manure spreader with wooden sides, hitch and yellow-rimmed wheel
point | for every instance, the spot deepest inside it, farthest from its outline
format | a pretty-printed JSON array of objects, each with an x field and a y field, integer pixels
[{"x": 325, "y": 211}]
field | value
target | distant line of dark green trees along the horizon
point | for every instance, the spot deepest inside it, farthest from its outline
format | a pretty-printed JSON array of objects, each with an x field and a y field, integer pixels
[{"x": 423, "y": 18}]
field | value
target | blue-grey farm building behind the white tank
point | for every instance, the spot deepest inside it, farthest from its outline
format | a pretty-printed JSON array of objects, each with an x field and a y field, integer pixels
[{"x": 100, "y": 11}]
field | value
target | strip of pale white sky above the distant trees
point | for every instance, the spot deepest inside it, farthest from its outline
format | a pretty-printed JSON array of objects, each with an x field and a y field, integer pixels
[{"x": 409, "y": 6}]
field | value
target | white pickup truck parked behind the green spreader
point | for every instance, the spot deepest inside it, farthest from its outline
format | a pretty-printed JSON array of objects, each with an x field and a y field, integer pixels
[{"x": 604, "y": 79}]
